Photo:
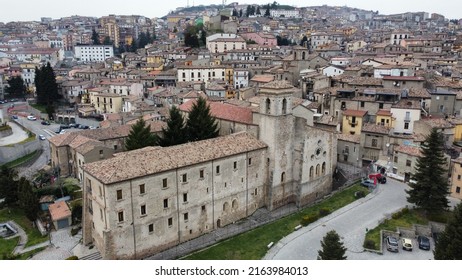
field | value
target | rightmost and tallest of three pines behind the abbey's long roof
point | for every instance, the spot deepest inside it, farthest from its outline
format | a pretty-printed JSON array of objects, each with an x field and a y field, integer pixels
[{"x": 201, "y": 125}]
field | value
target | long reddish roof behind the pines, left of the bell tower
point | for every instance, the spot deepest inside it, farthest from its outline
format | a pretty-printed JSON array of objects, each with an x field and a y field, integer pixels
[{"x": 224, "y": 111}]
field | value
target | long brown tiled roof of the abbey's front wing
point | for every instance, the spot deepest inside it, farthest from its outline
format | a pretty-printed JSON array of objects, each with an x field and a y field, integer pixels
[{"x": 133, "y": 164}]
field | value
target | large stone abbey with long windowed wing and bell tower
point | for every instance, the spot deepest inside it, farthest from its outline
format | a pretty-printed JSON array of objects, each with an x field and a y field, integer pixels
[{"x": 141, "y": 202}]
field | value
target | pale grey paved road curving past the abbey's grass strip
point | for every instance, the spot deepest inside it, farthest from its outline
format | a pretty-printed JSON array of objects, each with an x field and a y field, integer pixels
[{"x": 350, "y": 223}]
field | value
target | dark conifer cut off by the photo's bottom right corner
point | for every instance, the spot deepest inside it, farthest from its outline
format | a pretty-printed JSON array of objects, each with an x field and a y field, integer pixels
[{"x": 449, "y": 246}]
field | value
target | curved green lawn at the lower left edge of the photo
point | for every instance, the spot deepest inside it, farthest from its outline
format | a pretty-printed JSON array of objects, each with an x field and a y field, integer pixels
[{"x": 17, "y": 215}]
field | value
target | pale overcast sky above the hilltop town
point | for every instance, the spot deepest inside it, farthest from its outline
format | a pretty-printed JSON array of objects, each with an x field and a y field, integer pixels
[{"x": 14, "y": 10}]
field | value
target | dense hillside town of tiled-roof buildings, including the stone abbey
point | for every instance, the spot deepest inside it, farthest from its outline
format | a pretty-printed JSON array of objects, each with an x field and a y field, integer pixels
[{"x": 305, "y": 100}]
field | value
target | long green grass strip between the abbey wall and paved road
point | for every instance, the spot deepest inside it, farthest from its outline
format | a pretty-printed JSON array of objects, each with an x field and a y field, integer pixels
[{"x": 251, "y": 245}]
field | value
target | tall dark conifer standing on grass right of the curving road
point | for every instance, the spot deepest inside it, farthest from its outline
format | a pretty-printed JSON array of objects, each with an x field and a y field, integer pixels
[{"x": 430, "y": 189}]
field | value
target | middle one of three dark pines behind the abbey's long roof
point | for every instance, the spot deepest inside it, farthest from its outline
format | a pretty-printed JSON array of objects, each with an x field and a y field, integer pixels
[{"x": 175, "y": 133}]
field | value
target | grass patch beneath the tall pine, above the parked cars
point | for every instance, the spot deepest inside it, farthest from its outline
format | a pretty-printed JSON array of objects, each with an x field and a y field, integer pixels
[{"x": 406, "y": 220}]
